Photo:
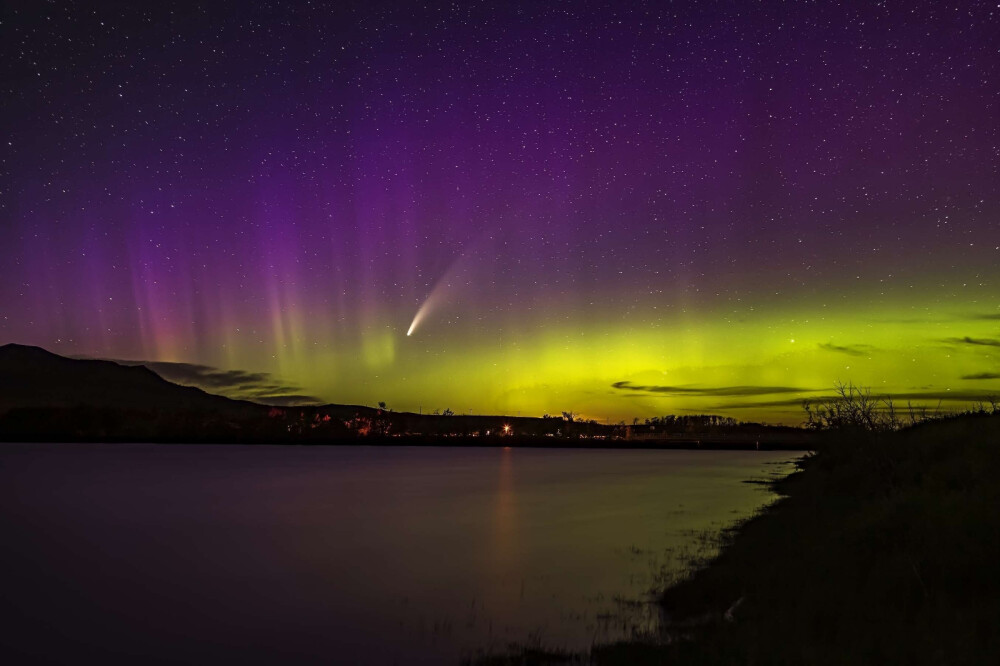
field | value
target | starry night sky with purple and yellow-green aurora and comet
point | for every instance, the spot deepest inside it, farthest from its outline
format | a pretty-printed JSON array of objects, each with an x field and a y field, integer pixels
[{"x": 621, "y": 209}]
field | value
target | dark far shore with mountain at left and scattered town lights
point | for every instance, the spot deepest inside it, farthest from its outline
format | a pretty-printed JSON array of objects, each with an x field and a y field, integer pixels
[{"x": 46, "y": 397}]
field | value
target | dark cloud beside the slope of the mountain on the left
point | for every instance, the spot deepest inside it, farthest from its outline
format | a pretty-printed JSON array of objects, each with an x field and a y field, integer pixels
[{"x": 255, "y": 386}]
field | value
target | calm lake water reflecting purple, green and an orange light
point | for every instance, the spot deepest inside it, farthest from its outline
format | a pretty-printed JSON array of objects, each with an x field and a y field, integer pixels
[{"x": 139, "y": 553}]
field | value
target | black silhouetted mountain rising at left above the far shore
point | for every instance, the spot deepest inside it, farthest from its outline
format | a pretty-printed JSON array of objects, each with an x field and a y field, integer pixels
[{"x": 33, "y": 377}]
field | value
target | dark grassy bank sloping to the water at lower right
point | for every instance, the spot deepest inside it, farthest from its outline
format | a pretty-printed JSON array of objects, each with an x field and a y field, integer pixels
[{"x": 886, "y": 549}]
